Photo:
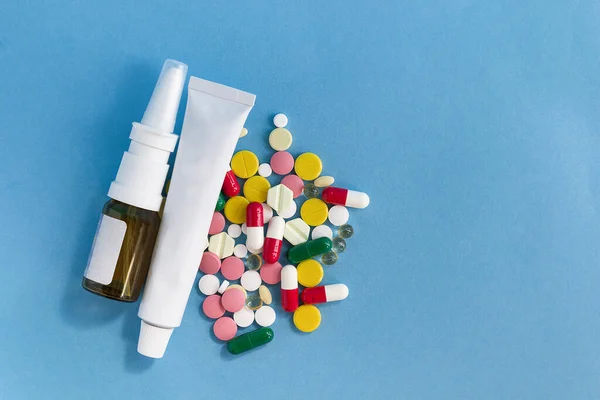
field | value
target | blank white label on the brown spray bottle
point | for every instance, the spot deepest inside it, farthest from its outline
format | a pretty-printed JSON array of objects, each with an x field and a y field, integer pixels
[{"x": 105, "y": 250}]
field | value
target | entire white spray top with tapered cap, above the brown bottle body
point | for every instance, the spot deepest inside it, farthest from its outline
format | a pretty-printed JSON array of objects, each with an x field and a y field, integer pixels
[{"x": 144, "y": 166}]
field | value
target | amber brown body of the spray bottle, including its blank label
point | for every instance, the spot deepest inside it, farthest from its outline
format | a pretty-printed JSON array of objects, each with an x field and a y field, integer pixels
[{"x": 136, "y": 242}]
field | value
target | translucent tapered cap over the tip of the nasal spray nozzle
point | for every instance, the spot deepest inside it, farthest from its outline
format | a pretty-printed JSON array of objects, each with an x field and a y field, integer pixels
[{"x": 161, "y": 112}]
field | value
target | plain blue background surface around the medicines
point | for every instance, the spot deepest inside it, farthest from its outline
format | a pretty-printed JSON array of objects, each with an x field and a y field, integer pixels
[{"x": 473, "y": 125}]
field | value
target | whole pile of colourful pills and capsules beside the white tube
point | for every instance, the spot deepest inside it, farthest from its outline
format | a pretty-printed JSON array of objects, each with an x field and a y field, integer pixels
[{"x": 248, "y": 204}]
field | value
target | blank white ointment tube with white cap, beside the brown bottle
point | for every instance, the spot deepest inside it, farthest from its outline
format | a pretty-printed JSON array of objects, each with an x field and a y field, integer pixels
[{"x": 214, "y": 117}]
